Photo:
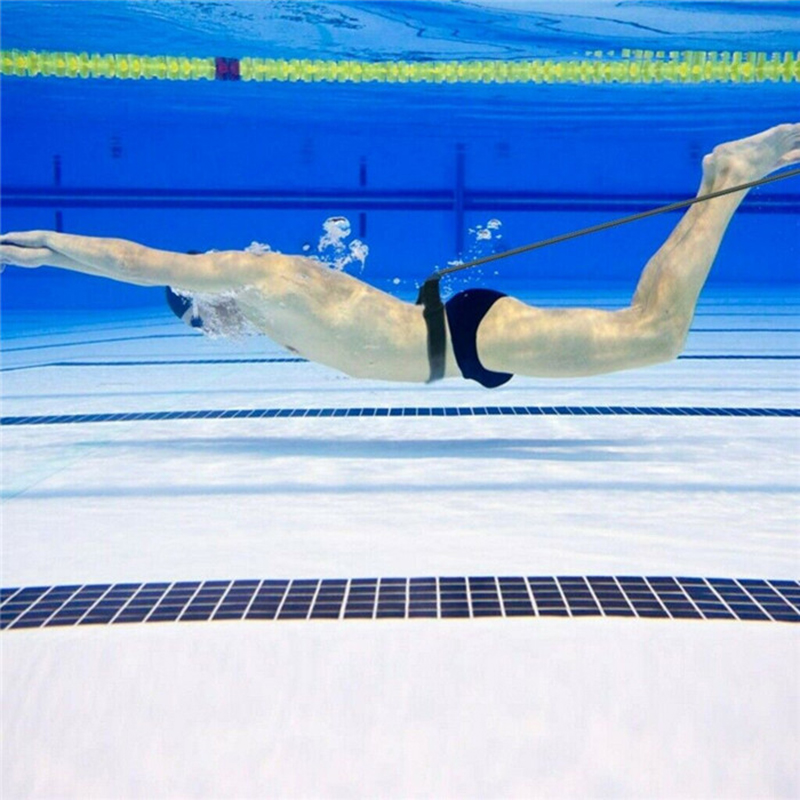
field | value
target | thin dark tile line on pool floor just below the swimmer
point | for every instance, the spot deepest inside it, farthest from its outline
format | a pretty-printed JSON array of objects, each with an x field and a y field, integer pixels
[{"x": 412, "y": 411}]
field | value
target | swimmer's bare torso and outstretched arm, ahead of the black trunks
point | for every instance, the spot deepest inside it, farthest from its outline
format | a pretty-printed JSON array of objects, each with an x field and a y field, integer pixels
[{"x": 328, "y": 316}]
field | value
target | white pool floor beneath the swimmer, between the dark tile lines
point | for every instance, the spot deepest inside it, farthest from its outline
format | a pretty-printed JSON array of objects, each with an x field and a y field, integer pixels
[{"x": 494, "y": 708}]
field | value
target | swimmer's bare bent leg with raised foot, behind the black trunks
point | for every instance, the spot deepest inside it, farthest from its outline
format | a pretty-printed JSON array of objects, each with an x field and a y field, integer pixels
[{"x": 539, "y": 342}]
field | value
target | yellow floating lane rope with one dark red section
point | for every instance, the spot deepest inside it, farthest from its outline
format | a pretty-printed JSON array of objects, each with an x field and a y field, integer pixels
[{"x": 595, "y": 68}]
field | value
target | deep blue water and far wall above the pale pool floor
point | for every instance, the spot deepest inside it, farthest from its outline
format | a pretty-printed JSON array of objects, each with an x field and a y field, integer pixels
[{"x": 419, "y": 170}]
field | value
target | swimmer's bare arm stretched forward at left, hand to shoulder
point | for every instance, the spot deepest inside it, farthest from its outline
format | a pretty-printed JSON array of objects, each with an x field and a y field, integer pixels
[{"x": 130, "y": 262}]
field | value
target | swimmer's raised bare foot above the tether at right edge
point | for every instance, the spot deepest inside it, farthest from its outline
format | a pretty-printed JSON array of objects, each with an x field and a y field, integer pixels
[{"x": 752, "y": 158}]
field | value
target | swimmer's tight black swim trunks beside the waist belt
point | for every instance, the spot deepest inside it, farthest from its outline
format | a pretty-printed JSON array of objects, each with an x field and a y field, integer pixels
[{"x": 464, "y": 314}]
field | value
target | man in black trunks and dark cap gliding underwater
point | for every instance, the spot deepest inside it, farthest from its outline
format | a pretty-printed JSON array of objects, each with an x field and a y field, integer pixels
[{"x": 337, "y": 320}]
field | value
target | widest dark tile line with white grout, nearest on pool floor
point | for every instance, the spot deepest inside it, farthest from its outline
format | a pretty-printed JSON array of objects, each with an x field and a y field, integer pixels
[{"x": 445, "y": 597}]
